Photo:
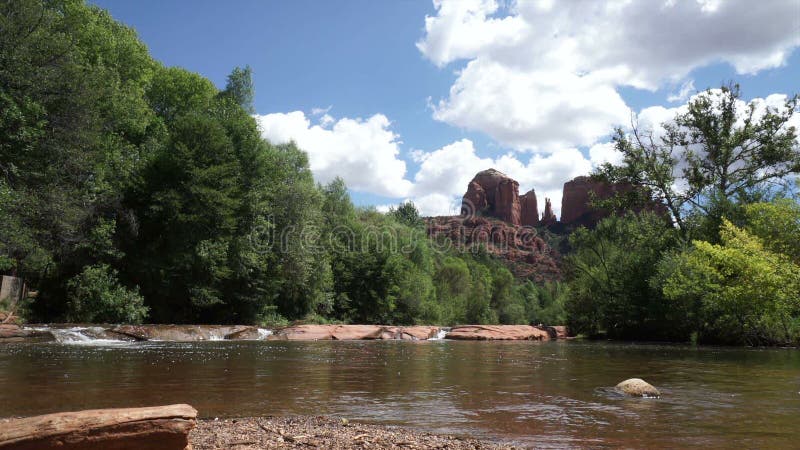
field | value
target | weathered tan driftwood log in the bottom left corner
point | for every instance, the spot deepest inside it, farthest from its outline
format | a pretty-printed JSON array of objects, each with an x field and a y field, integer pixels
[{"x": 152, "y": 428}]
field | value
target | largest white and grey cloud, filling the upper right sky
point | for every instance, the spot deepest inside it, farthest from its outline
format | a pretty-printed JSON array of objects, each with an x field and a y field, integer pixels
[{"x": 540, "y": 76}]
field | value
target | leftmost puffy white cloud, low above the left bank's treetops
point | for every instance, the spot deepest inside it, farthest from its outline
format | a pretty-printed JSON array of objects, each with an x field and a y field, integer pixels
[{"x": 363, "y": 152}]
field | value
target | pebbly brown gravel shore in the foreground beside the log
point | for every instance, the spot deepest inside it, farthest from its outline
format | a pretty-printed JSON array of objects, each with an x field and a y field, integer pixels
[{"x": 251, "y": 433}]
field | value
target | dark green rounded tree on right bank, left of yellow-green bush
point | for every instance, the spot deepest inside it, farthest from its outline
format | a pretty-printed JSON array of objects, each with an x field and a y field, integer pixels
[{"x": 610, "y": 288}]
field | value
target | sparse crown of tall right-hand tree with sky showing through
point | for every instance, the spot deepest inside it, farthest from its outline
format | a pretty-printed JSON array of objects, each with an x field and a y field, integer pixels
[{"x": 722, "y": 152}]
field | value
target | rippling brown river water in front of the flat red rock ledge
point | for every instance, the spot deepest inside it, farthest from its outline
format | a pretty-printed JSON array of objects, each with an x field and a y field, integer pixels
[{"x": 545, "y": 394}]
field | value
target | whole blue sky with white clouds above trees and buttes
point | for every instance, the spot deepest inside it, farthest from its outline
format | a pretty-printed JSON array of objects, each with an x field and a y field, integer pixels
[{"x": 407, "y": 100}]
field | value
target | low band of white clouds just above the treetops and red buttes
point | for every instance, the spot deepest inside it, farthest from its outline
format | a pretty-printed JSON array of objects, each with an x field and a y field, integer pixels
[{"x": 366, "y": 154}]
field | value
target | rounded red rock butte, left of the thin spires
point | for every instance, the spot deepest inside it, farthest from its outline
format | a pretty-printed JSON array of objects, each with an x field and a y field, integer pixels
[{"x": 492, "y": 193}]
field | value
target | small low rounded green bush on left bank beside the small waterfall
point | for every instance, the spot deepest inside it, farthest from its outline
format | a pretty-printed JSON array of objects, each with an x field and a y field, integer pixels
[{"x": 95, "y": 295}]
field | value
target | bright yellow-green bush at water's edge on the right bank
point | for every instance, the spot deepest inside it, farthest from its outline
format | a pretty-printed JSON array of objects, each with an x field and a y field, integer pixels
[{"x": 746, "y": 293}]
